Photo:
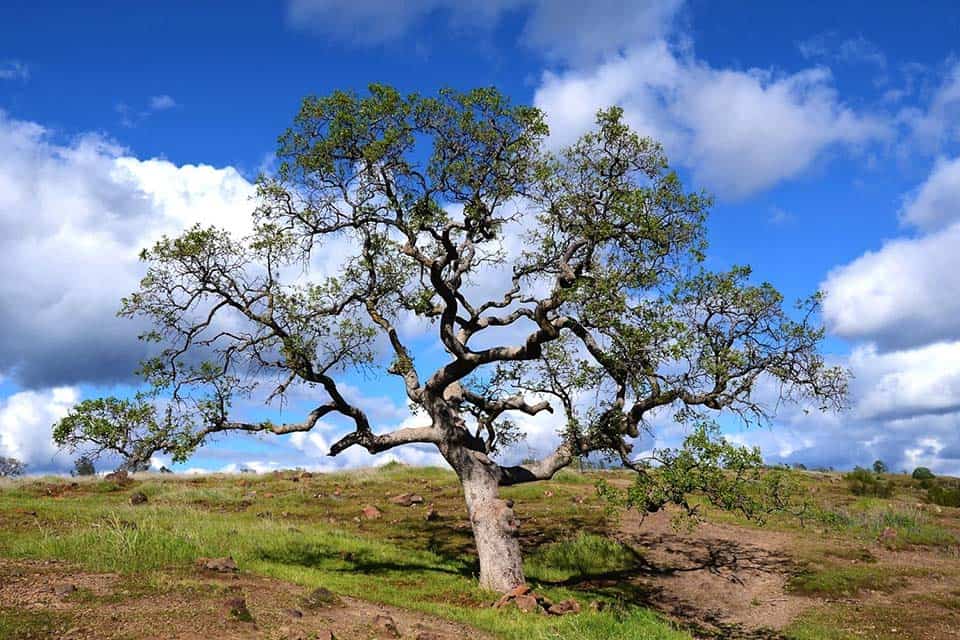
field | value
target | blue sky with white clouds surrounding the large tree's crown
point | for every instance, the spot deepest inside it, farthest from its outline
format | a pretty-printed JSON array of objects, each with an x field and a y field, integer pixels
[{"x": 830, "y": 137}]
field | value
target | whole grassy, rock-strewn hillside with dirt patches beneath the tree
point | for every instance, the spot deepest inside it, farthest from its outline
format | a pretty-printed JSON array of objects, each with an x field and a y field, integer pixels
[{"x": 854, "y": 567}]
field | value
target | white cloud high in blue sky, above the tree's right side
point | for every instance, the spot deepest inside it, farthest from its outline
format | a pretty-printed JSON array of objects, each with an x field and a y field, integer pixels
[{"x": 740, "y": 131}]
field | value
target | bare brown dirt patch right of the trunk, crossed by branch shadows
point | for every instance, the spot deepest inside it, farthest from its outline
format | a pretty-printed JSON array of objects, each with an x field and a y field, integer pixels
[{"x": 719, "y": 579}]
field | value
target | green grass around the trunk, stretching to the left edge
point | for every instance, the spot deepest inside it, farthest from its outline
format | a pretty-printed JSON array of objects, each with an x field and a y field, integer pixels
[{"x": 313, "y": 541}]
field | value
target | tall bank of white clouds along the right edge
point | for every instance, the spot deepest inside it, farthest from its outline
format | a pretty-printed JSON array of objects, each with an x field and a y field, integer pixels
[{"x": 901, "y": 305}]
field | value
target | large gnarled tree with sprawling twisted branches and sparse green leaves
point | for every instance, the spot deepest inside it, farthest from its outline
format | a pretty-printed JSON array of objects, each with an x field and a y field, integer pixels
[{"x": 616, "y": 313}]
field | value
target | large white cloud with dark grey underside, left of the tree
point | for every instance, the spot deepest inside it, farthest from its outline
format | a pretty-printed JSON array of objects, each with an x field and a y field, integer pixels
[{"x": 73, "y": 218}]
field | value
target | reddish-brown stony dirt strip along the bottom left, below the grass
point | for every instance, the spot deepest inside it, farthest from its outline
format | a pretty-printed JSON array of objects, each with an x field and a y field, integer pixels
[{"x": 196, "y": 606}]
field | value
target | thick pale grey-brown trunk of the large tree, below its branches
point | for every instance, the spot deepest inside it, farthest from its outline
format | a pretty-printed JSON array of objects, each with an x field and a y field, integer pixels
[{"x": 495, "y": 529}]
